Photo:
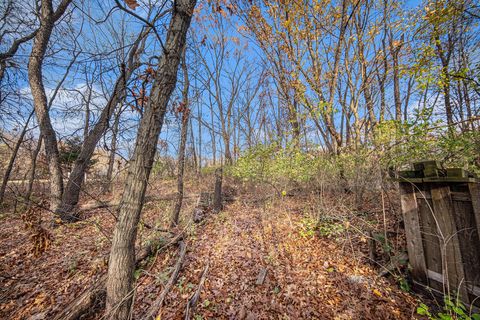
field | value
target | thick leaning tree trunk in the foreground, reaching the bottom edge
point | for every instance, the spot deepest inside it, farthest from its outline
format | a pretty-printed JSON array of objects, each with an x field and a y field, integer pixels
[{"x": 122, "y": 255}]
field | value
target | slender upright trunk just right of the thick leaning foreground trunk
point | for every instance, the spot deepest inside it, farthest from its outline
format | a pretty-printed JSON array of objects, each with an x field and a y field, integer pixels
[{"x": 183, "y": 142}]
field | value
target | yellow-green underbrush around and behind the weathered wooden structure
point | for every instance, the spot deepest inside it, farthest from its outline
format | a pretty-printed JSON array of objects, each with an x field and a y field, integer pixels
[{"x": 348, "y": 198}]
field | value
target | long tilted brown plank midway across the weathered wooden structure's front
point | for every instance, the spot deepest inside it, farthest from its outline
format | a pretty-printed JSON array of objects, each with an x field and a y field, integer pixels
[{"x": 449, "y": 241}]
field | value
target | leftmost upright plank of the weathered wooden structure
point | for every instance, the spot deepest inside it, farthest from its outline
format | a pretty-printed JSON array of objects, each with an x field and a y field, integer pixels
[{"x": 411, "y": 219}]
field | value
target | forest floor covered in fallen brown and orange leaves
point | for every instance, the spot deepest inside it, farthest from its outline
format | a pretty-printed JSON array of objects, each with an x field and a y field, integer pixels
[{"x": 308, "y": 275}]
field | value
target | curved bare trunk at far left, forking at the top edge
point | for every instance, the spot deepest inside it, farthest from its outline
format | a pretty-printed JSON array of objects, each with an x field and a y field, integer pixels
[{"x": 48, "y": 17}]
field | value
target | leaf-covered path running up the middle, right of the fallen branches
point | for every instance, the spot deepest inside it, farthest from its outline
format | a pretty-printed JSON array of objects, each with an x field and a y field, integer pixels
[{"x": 307, "y": 277}]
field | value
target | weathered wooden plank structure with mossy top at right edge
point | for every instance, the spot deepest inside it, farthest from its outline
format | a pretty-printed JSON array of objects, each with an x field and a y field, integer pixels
[{"x": 441, "y": 211}]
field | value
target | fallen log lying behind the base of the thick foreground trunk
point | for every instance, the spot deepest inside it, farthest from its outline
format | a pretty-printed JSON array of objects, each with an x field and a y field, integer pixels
[{"x": 93, "y": 298}]
